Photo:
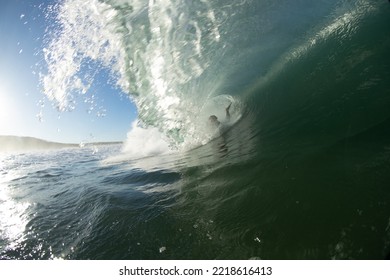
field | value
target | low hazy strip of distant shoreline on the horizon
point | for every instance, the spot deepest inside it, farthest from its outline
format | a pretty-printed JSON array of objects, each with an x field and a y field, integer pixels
[{"x": 10, "y": 143}]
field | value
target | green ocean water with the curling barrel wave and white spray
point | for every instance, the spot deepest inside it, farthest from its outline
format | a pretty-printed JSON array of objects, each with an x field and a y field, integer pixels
[{"x": 301, "y": 171}]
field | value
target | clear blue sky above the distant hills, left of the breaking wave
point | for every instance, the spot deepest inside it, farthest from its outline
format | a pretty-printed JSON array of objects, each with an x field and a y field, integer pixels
[{"x": 22, "y": 27}]
